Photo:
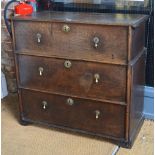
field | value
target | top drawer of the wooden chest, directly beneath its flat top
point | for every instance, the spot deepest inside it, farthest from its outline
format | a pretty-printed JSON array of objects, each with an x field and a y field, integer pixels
[{"x": 76, "y": 41}]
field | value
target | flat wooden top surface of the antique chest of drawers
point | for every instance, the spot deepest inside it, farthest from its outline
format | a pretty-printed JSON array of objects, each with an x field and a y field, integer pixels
[{"x": 87, "y": 18}]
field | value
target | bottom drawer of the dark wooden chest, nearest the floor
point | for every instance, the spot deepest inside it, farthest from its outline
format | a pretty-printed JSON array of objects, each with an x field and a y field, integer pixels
[{"x": 94, "y": 117}]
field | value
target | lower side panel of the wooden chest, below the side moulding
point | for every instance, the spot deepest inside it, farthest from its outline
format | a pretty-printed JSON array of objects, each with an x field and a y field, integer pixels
[{"x": 137, "y": 94}]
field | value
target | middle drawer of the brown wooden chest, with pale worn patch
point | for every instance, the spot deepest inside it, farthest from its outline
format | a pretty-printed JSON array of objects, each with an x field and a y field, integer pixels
[{"x": 76, "y": 78}]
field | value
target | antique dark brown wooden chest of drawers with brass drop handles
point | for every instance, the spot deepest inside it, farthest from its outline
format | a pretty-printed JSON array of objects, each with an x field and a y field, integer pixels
[{"x": 82, "y": 72}]
